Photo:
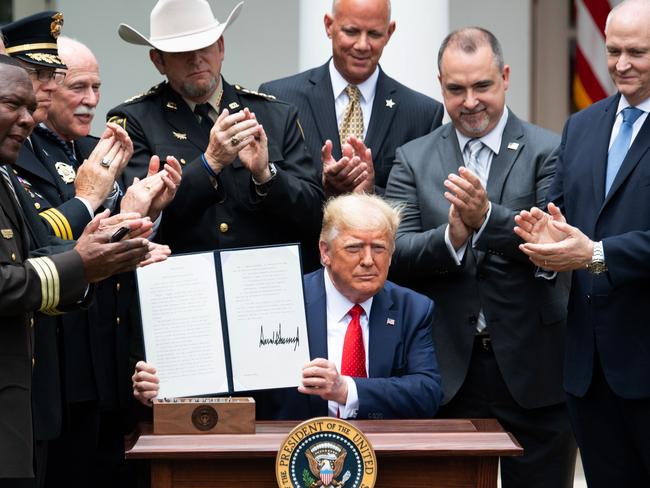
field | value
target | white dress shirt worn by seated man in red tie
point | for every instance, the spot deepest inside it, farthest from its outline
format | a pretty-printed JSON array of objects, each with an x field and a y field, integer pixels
[{"x": 337, "y": 324}]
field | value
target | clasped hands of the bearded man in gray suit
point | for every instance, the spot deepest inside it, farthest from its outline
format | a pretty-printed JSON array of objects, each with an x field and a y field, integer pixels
[{"x": 469, "y": 205}]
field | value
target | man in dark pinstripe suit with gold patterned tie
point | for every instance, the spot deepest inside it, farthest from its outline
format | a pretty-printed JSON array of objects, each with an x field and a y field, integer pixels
[{"x": 392, "y": 114}]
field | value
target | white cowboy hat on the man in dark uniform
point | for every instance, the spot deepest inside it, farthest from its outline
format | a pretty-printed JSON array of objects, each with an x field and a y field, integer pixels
[{"x": 180, "y": 26}]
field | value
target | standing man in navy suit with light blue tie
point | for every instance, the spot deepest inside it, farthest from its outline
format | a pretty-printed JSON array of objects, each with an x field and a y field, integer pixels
[{"x": 601, "y": 189}]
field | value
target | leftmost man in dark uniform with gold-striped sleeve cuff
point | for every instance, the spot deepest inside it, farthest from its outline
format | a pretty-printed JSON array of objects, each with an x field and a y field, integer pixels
[{"x": 47, "y": 279}]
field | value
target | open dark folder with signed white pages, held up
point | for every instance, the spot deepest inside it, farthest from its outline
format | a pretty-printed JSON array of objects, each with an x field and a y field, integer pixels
[{"x": 225, "y": 321}]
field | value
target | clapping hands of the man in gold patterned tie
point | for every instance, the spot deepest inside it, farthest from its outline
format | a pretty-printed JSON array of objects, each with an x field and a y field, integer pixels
[{"x": 354, "y": 172}]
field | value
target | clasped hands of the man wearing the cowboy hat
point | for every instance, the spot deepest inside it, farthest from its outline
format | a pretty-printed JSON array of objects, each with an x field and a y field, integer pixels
[{"x": 239, "y": 135}]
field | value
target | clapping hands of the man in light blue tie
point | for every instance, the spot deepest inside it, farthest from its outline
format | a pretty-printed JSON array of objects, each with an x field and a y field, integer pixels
[{"x": 550, "y": 242}]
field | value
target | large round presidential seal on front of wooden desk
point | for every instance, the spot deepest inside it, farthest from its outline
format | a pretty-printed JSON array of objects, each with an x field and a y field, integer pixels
[{"x": 326, "y": 452}]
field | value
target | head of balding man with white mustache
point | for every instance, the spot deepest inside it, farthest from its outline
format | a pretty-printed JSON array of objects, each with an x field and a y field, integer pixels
[{"x": 73, "y": 104}]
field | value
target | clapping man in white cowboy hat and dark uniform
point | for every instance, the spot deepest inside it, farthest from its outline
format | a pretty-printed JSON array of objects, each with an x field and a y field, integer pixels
[{"x": 247, "y": 177}]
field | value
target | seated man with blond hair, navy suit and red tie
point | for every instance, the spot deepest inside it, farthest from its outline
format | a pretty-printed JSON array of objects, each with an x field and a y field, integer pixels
[{"x": 369, "y": 339}]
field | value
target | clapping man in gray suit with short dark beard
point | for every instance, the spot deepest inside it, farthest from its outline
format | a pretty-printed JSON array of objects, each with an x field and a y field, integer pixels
[{"x": 500, "y": 322}]
